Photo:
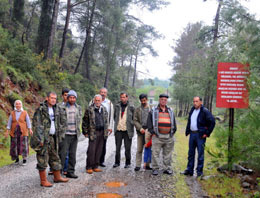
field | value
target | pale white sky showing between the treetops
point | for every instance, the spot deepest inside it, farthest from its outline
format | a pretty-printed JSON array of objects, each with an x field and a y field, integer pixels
[{"x": 170, "y": 21}]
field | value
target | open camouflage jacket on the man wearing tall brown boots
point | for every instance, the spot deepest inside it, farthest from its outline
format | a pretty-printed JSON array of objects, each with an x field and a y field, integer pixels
[{"x": 41, "y": 125}]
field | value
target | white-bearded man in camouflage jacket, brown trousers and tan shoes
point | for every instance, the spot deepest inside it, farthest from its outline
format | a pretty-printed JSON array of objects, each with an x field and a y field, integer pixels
[{"x": 95, "y": 126}]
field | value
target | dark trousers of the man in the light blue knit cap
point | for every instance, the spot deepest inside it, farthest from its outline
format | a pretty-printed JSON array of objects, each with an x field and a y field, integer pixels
[{"x": 70, "y": 144}]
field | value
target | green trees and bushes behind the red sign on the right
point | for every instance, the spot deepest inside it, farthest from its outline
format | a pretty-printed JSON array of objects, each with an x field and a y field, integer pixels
[{"x": 234, "y": 36}]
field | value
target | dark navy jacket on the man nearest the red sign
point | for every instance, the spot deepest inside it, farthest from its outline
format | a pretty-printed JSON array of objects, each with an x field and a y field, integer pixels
[{"x": 205, "y": 122}]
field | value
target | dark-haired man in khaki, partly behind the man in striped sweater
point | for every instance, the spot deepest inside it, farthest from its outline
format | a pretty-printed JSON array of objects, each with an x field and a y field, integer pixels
[{"x": 140, "y": 122}]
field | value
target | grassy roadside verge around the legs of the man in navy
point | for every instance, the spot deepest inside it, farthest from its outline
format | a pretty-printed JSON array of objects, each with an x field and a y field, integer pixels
[{"x": 218, "y": 186}]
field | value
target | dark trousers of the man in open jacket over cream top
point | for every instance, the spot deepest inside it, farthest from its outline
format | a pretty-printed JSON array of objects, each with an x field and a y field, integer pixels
[{"x": 119, "y": 136}]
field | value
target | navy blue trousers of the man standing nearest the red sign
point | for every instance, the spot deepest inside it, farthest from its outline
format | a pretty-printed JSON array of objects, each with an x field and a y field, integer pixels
[{"x": 196, "y": 141}]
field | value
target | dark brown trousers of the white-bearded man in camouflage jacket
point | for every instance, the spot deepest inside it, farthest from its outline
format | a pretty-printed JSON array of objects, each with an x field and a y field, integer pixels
[{"x": 95, "y": 150}]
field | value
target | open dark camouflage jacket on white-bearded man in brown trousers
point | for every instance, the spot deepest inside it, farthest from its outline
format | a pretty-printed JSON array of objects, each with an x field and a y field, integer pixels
[{"x": 88, "y": 124}]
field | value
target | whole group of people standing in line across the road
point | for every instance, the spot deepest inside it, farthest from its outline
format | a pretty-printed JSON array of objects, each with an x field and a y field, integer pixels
[{"x": 55, "y": 132}]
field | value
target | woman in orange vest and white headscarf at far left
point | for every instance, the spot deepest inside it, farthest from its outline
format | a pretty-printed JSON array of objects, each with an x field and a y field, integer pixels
[{"x": 17, "y": 128}]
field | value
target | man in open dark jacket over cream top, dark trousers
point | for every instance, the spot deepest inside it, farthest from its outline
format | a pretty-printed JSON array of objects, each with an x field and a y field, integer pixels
[{"x": 124, "y": 129}]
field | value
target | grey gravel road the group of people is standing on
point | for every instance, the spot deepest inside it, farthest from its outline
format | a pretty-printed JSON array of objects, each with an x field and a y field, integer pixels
[{"x": 24, "y": 181}]
